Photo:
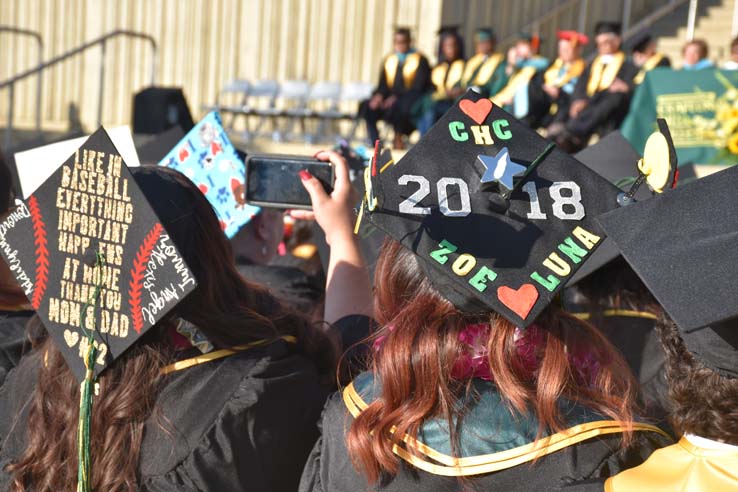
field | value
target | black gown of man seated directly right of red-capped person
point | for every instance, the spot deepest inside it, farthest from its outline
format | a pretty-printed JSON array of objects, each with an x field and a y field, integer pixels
[{"x": 605, "y": 110}]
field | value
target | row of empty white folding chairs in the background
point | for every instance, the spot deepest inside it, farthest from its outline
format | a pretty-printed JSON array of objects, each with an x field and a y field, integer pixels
[{"x": 291, "y": 104}]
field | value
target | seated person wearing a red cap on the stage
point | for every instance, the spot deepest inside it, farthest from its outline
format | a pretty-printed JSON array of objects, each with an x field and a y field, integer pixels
[{"x": 550, "y": 91}]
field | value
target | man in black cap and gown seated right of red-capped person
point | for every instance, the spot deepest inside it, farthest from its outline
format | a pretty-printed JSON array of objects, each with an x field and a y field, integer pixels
[{"x": 602, "y": 94}]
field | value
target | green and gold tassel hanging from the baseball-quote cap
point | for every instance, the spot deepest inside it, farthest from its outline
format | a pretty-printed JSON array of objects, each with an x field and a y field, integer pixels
[{"x": 87, "y": 388}]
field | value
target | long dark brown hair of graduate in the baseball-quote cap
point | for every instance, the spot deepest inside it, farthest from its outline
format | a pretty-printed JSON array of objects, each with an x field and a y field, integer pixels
[{"x": 225, "y": 307}]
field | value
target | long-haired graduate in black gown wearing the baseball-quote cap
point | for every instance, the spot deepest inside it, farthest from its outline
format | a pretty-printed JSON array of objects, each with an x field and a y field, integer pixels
[{"x": 197, "y": 380}]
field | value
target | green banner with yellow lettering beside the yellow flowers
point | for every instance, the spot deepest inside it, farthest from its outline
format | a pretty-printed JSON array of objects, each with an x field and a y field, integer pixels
[{"x": 701, "y": 108}]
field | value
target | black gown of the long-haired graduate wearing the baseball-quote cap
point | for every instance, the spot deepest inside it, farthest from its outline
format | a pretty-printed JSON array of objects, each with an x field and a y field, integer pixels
[{"x": 244, "y": 422}]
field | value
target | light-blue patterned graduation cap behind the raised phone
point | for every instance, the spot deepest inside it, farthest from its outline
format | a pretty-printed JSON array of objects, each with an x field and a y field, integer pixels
[{"x": 207, "y": 156}]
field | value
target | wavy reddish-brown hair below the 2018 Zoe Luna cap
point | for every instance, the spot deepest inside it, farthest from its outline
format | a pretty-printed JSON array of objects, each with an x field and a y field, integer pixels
[{"x": 416, "y": 358}]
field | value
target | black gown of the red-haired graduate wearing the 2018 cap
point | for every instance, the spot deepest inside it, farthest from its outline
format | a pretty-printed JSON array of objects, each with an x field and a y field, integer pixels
[{"x": 580, "y": 466}]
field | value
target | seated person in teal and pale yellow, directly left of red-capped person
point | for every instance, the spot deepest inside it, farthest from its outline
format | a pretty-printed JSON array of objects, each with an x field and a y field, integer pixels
[{"x": 523, "y": 63}]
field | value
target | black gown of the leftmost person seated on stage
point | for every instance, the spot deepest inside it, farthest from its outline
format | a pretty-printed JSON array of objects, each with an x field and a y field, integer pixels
[{"x": 400, "y": 115}]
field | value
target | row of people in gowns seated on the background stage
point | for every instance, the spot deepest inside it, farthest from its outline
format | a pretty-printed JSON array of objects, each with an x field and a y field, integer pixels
[{"x": 569, "y": 99}]
